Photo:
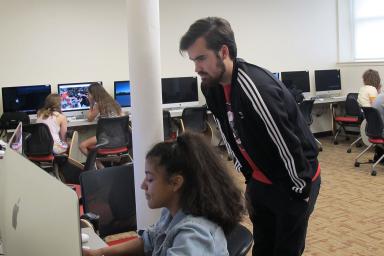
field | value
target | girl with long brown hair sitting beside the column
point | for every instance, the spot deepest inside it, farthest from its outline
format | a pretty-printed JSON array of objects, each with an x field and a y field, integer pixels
[{"x": 101, "y": 105}]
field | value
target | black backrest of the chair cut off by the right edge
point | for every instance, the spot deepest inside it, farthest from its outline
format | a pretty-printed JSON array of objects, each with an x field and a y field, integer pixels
[{"x": 375, "y": 126}]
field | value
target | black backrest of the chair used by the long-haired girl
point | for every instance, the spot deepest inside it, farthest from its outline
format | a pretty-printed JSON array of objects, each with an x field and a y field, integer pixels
[{"x": 114, "y": 129}]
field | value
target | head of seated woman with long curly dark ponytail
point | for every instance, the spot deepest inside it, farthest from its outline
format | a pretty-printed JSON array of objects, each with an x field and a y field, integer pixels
[{"x": 187, "y": 174}]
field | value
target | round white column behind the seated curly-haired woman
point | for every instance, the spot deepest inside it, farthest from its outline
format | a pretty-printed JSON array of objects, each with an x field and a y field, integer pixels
[{"x": 144, "y": 74}]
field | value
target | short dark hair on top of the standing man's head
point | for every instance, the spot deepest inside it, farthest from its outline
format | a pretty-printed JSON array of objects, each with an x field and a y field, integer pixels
[{"x": 216, "y": 32}]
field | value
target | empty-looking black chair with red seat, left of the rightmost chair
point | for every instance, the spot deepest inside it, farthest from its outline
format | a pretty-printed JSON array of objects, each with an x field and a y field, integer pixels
[{"x": 352, "y": 118}]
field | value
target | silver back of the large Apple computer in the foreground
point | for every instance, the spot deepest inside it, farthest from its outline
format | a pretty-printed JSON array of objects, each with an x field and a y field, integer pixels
[{"x": 39, "y": 214}]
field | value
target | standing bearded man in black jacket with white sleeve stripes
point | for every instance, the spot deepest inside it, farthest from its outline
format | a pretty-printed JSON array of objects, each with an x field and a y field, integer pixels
[{"x": 265, "y": 134}]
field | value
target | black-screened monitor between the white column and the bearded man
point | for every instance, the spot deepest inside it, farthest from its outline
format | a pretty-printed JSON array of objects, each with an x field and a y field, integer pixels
[{"x": 179, "y": 92}]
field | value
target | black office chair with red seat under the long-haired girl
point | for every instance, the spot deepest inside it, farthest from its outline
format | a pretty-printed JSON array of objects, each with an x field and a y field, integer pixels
[{"x": 114, "y": 140}]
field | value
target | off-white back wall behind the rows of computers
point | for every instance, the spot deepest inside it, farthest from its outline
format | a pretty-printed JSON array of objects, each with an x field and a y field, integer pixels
[{"x": 54, "y": 41}]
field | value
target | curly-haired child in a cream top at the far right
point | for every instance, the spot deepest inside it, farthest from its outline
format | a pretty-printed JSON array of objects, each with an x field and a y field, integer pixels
[{"x": 371, "y": 88}]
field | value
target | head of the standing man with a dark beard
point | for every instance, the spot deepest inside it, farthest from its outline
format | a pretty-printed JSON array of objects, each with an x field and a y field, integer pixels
[{"x": 210, "y": 44}]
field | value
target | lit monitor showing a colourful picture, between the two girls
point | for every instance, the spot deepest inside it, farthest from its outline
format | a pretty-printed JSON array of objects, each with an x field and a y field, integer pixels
[{"x": 74, "y": 96}]
